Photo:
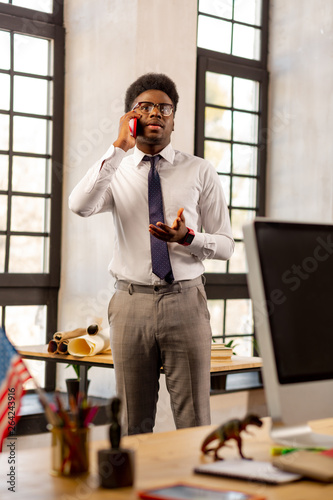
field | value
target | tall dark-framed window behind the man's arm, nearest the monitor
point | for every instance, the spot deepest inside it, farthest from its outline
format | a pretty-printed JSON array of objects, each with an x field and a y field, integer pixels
[{"x": 231, "y": 124}]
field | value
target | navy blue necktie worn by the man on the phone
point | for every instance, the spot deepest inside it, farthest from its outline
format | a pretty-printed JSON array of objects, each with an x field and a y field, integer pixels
[{"x": 159, "y": 249}]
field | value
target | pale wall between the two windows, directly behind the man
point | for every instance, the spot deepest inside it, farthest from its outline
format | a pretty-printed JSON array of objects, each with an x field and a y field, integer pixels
[{"x": 109, "y": 43}]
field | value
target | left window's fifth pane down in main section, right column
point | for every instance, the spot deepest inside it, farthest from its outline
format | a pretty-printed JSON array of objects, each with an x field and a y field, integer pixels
[{"x": 29, "y": 214}]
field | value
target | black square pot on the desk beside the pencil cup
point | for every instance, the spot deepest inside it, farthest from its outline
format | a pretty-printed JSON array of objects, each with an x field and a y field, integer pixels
[{"x": 116, "y": 468}]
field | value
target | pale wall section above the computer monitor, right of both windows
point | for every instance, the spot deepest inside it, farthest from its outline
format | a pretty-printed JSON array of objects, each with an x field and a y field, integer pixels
[{"x": 300, "y": 159}]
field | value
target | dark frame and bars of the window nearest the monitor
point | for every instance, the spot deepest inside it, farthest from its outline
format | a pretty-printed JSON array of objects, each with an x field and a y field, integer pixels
[{"x": 234, "y": 285}]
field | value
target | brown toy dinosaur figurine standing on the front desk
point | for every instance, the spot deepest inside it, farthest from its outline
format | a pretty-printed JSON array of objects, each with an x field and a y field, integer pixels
[{"x": 229, "y": 430}]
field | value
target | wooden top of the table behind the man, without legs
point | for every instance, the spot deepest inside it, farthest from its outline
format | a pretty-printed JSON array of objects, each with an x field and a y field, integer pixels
[{"x": 40, "y": 352}]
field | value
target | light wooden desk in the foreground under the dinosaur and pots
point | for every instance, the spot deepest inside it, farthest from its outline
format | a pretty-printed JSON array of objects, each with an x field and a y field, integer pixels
[{"x": 161, "y": 459}]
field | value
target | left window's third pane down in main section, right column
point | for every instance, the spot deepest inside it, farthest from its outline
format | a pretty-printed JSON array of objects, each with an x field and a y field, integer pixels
[{"x": 30, "y": 135}]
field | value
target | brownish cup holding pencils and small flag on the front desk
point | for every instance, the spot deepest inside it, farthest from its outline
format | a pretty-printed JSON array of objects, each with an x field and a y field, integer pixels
[{"x": 70, "y": 451}]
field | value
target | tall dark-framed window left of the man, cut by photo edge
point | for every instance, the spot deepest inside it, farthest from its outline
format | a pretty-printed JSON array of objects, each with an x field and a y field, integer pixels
[{"x": 31, "y": 129}]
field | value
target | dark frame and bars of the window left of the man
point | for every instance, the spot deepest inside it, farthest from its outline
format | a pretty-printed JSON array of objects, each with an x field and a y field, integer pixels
[{"x": 40, "y": 288}]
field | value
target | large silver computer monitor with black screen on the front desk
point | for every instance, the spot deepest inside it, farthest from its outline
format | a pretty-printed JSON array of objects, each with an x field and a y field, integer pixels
[{"x": 290, "y": 278}]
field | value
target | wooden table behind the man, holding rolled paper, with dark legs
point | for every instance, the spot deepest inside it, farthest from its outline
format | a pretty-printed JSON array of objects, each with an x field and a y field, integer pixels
[{"x": 219, "y": 369}]
